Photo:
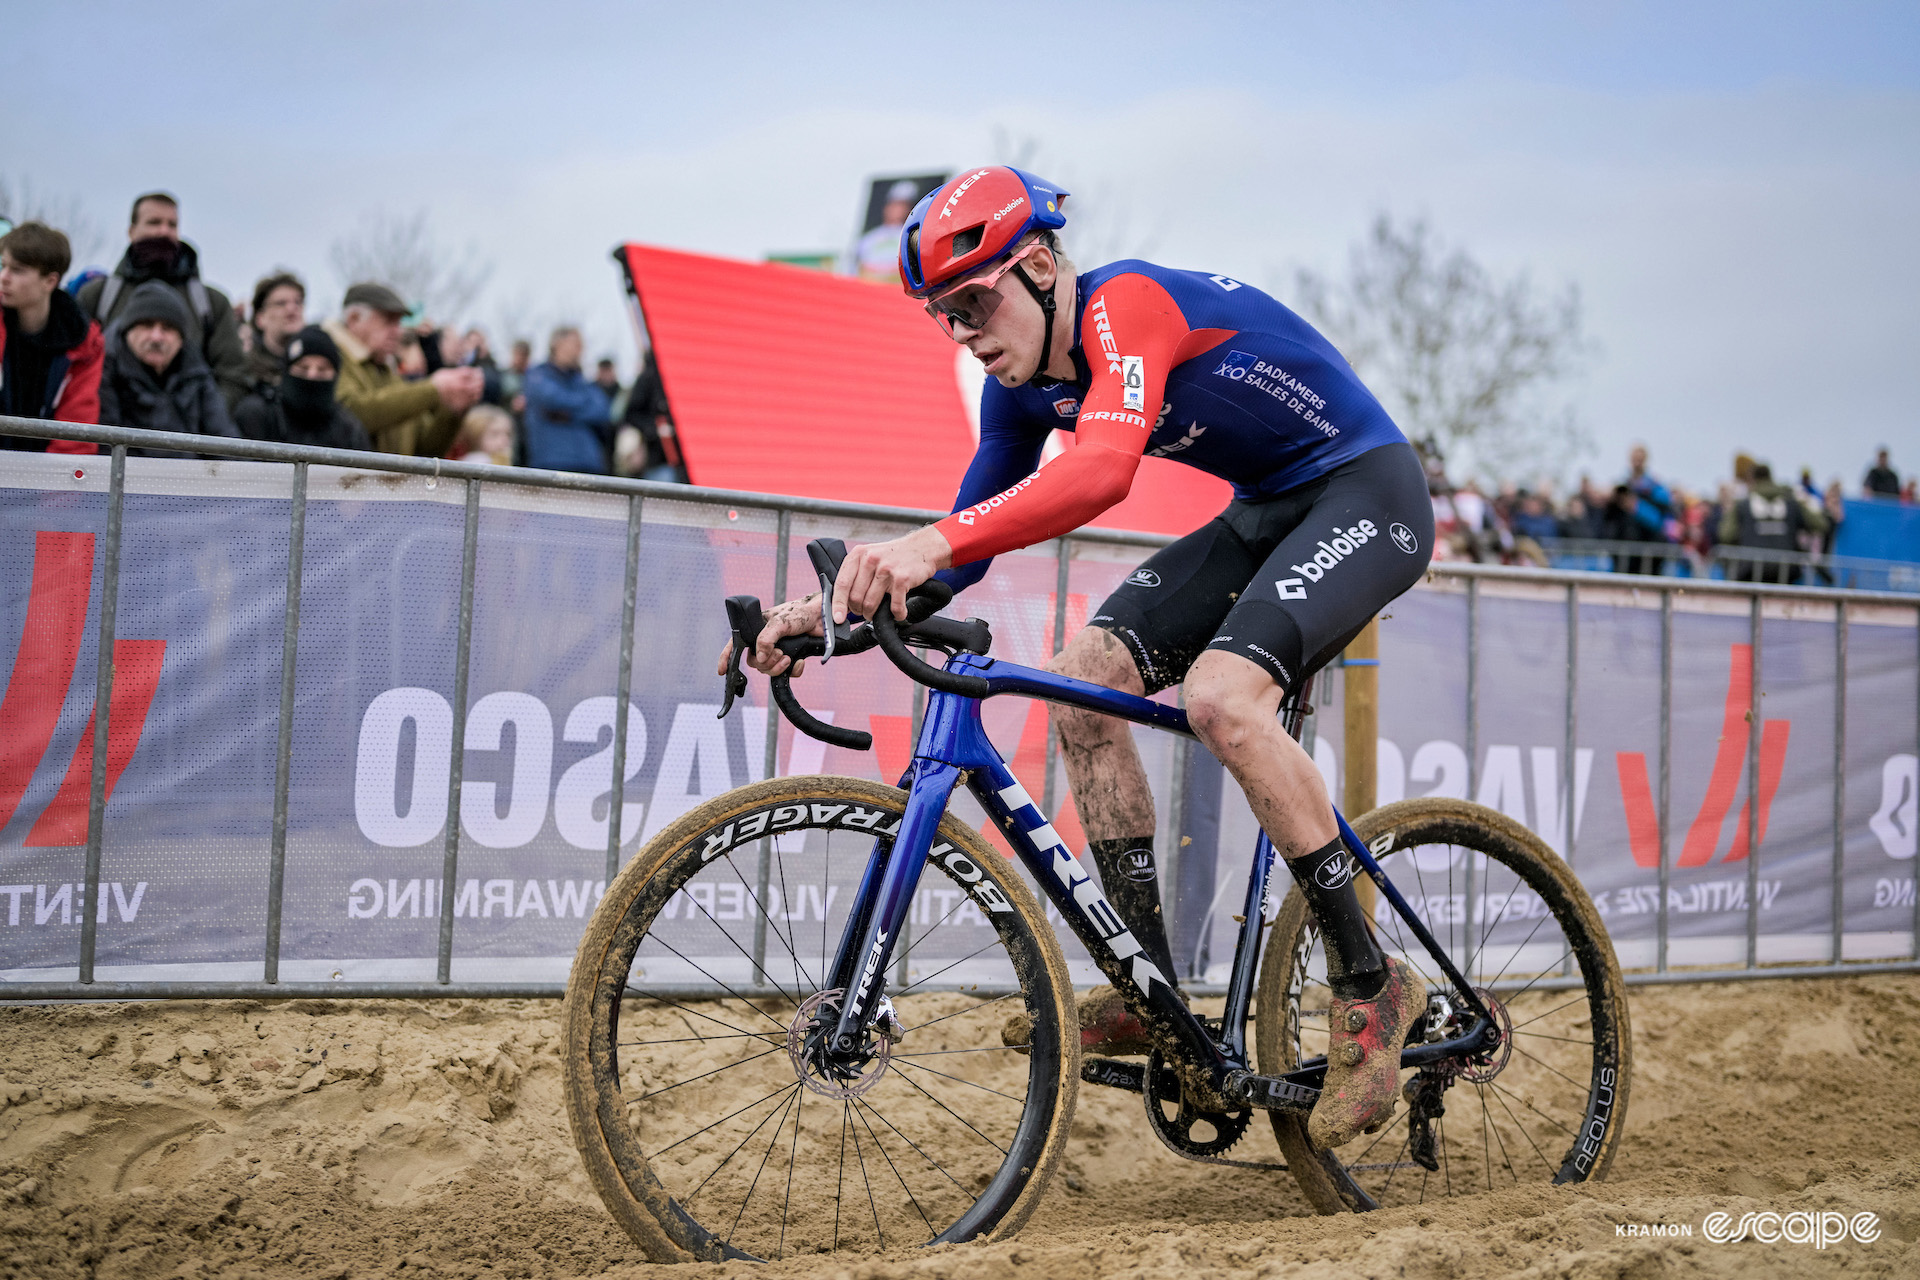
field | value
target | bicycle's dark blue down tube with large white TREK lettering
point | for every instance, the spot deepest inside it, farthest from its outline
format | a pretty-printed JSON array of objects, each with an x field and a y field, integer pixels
[{"x": 1086, "y": 909}]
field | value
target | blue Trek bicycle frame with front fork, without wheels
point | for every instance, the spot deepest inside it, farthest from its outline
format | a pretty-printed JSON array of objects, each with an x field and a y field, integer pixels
[{"x": 953, "y": 749}]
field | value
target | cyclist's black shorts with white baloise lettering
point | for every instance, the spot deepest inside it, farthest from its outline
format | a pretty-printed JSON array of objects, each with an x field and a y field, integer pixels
[{"x": 1285, "y": 581}]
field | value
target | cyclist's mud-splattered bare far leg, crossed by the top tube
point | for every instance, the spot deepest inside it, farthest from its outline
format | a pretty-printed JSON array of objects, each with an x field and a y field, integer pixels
[{"x": 1103, "y": 763}]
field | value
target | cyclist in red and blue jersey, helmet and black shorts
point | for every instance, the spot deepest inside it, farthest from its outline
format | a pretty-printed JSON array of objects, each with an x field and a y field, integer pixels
[{"x": 1328, "y": 525}]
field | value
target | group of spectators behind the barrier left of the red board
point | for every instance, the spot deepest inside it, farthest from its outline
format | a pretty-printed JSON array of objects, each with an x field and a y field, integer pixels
[{"x": 155, "y": 346}]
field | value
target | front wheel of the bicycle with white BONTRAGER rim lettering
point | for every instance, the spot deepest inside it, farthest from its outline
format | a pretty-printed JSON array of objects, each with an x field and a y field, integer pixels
[{"x": 702, "y": 1120}]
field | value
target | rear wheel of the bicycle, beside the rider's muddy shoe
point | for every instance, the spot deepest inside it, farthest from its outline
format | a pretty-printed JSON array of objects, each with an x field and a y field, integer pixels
[{"x": 1552, "y": 1102}]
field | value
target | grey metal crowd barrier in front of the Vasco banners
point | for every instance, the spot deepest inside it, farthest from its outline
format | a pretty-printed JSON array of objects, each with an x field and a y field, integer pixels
[{"x": 473, "y": 477}]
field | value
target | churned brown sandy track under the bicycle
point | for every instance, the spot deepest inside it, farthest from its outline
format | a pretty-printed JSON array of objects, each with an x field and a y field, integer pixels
[{"x": 333, "y": 1139}]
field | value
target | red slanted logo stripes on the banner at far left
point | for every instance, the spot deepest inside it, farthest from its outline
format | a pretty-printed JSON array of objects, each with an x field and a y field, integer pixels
[{"x": 37, "y": 690}]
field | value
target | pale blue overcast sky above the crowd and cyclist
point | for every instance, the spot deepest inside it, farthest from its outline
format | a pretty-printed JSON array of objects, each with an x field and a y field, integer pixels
[{"x": 1735, "y": 187}]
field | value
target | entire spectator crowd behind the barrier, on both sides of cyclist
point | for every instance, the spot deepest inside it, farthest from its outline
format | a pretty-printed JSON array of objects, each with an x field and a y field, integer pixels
[{"x": 153, "y": 346}]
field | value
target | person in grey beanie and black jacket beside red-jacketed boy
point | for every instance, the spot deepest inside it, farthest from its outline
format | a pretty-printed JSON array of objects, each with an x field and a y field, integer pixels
[{"x": 155, "y": 379}]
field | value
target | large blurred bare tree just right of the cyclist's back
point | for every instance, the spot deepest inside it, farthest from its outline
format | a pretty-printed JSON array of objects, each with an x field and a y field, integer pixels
[{"x": 1460, "y": 358}]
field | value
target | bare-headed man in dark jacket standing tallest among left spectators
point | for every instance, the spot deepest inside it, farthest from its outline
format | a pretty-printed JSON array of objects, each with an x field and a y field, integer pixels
[{"x": 156, "y": 252}]
